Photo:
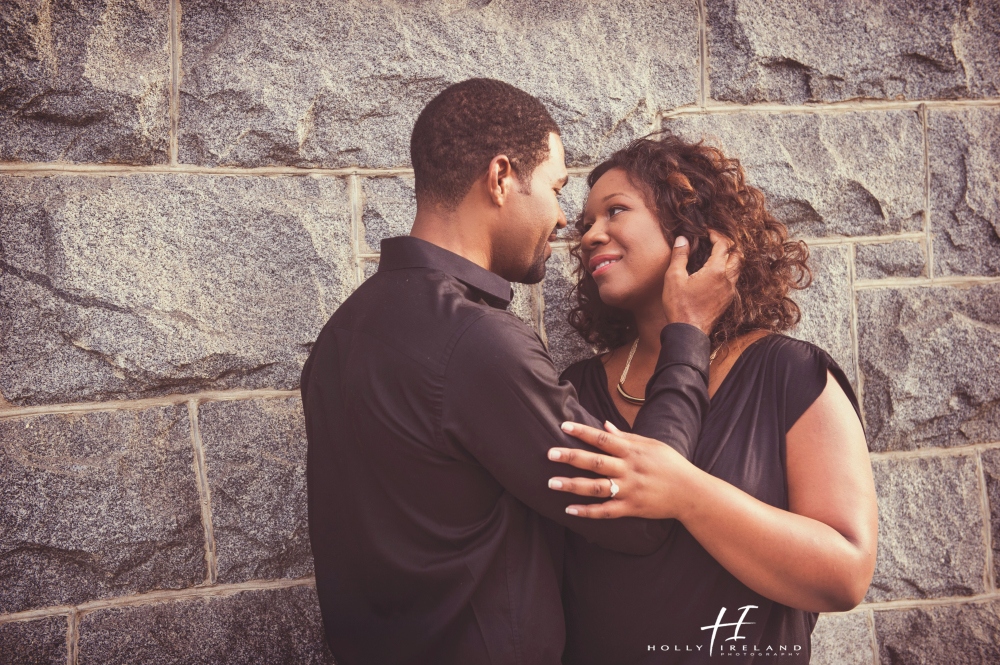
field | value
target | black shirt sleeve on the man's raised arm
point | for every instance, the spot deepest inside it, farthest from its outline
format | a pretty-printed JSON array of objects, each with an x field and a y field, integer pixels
[{"x": 504, "y": 405}]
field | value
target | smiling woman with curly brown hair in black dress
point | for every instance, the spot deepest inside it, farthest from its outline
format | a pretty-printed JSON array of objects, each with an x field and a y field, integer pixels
[{"x": 775, "y": 514}]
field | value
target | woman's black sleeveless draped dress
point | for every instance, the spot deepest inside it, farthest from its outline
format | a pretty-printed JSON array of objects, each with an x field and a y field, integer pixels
[{"x": 655, "y": 609}]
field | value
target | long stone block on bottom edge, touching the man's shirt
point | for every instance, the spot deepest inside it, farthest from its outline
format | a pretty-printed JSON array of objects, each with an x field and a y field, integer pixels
[{"x": 270, "y": 626}]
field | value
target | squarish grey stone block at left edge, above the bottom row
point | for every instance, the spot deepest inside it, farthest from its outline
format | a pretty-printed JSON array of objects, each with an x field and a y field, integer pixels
[{"x": 97, "y": 505}]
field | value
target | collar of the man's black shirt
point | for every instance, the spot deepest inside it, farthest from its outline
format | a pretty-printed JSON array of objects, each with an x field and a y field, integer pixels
[{"x": 411, "y": 252}]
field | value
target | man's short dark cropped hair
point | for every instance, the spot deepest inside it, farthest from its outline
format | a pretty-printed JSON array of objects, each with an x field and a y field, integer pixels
[{"x": 468, "y": 124}]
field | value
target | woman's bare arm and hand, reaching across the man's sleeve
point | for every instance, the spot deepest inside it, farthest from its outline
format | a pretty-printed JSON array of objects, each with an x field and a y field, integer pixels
[{"x": 817, "y": 556}]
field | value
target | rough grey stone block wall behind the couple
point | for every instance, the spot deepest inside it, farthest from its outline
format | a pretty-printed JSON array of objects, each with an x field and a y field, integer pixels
[{"x": 189, "y": 189}]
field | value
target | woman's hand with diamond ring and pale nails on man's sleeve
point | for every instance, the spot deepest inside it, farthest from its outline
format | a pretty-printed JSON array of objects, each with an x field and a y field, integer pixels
[{"x": 651, "y": 476}]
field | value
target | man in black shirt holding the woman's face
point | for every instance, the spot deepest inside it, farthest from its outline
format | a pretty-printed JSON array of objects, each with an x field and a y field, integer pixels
[{"x": 430, "y": 409}]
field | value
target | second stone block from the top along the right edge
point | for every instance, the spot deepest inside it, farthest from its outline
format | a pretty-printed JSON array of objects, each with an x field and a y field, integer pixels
[{"x": 965, "y": 190}]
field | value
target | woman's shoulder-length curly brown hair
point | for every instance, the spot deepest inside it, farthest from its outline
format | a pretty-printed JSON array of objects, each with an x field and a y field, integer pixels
[{"x": 693, "y": 188}]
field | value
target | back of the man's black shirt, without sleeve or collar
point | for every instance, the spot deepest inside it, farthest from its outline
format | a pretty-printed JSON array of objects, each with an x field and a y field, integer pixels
[{"x": 420, "y": 552}]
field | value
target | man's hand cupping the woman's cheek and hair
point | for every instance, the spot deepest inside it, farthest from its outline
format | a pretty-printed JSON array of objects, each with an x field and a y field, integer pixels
[{"x": 700, "y": 299}]
